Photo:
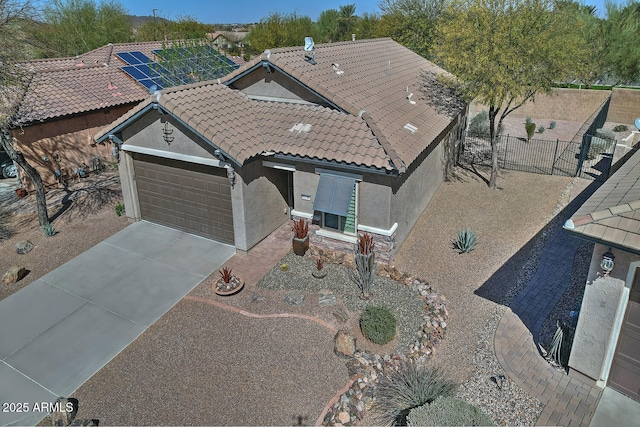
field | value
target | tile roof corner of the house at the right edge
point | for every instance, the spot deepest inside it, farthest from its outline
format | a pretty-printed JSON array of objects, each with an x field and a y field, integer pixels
[{"x": 612, "y": 214}]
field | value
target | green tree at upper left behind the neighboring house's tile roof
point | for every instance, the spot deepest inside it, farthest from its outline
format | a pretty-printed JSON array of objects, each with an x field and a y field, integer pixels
[{"x": 73, "y": 27}]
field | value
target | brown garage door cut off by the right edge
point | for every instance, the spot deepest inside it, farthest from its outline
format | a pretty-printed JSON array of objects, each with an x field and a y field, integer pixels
[{"x": 625, "y": 369}]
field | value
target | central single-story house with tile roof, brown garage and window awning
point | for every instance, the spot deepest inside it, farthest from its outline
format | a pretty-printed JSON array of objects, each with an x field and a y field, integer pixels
[{"x": 340, "y": 141}]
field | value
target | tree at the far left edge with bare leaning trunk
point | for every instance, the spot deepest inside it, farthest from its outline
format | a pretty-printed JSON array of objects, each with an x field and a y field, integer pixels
[{"x": 14, "y": 47}]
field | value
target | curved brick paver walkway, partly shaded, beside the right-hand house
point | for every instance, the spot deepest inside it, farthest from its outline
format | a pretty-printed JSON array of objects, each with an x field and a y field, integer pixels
[{"x": 567, "y": 401}]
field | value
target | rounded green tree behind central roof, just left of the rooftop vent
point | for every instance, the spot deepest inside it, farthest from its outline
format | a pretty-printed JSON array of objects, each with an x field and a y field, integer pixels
[{"x": 279, "y": 30}]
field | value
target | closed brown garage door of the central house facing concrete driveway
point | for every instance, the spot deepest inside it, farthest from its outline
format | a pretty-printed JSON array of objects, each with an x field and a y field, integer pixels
[{"x": 185, "y": 196}]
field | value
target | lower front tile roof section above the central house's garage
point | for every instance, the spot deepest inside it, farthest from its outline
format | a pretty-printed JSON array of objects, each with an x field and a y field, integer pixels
[{"x": 244, "y": 128}]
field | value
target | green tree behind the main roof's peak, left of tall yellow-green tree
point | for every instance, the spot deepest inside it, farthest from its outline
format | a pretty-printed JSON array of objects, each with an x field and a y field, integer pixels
[{"x": 411, "y": 22}]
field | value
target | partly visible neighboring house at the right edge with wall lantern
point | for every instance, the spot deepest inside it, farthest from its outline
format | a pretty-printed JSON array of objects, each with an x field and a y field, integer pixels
[{"x": 606, "y": 347}]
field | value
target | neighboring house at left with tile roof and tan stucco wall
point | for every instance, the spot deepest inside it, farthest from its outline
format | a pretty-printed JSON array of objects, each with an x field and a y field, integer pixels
[{"x": 68, "y": 100}]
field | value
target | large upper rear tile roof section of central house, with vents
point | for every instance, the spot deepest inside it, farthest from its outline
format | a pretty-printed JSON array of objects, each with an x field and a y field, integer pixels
[{"x": 373, "y": 76}]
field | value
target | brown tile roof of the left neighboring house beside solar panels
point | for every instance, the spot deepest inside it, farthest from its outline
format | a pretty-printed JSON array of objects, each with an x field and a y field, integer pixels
[{"x": 87, "y": 82}]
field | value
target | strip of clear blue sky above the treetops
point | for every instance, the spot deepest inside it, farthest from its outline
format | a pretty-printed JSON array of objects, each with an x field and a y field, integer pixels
[{"x": 249, "y": 11}]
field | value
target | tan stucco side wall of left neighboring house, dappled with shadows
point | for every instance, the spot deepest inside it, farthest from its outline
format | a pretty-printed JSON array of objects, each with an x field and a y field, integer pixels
[{"x": 66, "y": 142}]
